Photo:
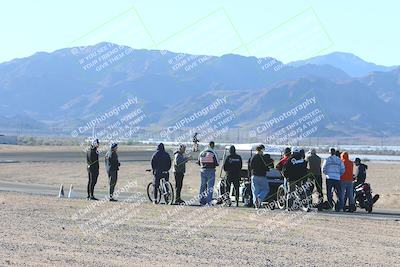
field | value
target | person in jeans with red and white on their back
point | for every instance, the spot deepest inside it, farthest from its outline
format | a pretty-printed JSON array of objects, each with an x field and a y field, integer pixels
[{"x": 208, "y": 161}]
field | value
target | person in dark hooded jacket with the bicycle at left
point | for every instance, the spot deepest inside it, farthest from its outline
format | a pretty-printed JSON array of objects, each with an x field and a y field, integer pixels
[{"x": 160, "y": 164}]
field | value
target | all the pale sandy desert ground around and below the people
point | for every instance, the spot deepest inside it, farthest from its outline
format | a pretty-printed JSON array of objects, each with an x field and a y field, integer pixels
[{"x": 43, "y": 230}]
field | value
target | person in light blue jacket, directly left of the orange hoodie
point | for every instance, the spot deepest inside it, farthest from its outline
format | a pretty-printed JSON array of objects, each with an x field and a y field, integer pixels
[{"x": 333, "y": 168}]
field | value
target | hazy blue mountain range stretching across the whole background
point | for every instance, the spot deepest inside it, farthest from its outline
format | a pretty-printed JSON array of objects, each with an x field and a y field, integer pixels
[{"x": 72, "y": 86}]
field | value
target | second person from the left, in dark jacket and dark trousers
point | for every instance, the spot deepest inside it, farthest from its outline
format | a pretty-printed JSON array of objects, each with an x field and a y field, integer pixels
[{"x": 112, "y": 167}]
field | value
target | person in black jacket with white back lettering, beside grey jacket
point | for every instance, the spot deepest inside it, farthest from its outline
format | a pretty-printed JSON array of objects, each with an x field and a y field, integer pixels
[{"x": 295, "y": 170}]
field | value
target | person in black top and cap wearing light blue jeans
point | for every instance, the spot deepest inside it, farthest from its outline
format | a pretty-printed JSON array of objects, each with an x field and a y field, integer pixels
[{"x": 259, "y": 166}]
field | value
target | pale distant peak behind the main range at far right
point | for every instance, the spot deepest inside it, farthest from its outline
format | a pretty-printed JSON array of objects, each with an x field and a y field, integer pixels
[{"x": 349, "y": 63}]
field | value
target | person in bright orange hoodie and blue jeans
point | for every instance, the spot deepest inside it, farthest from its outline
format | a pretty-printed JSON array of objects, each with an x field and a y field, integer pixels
[{"x": 346, "y": 182}]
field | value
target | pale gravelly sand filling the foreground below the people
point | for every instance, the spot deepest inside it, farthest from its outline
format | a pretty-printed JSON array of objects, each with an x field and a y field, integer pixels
[{"x": 47, "y": 231}]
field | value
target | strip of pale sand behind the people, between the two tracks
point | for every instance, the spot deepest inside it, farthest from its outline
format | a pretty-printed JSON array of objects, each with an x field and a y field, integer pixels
[{"x": 384, "y": 177}]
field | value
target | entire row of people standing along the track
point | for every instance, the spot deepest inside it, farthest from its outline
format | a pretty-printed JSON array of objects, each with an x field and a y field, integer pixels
[{"x": 295, "y": 166}]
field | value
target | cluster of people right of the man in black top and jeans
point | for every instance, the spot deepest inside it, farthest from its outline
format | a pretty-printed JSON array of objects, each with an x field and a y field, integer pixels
[{"x": 298, "y": 167}]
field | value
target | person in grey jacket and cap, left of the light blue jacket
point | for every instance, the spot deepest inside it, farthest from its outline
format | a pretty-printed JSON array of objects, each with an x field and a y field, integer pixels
[{"x": 314, "y": 166}]
